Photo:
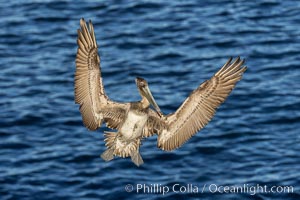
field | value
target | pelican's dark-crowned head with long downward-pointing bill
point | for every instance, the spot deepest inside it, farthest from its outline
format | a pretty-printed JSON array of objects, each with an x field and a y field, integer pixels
[{"x": 146, "y": 94}]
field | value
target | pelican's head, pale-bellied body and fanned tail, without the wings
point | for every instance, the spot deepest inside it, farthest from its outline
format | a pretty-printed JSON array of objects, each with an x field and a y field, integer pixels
[{"x": 127, "y": 140}]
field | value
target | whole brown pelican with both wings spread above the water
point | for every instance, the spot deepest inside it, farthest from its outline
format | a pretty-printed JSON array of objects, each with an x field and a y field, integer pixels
[{"x": 136, "y": 120}]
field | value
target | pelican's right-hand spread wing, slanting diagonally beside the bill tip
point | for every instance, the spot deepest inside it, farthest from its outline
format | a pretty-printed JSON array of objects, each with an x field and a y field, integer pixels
[{"x": 199, "y": 108}]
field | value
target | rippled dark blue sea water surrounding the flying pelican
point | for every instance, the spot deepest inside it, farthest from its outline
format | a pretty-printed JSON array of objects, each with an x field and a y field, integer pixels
[{"x": 46, "y": 152}]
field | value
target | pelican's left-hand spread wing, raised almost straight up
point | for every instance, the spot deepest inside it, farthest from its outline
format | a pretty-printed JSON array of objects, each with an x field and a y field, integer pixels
[{"x": 95, "y": 106}]
